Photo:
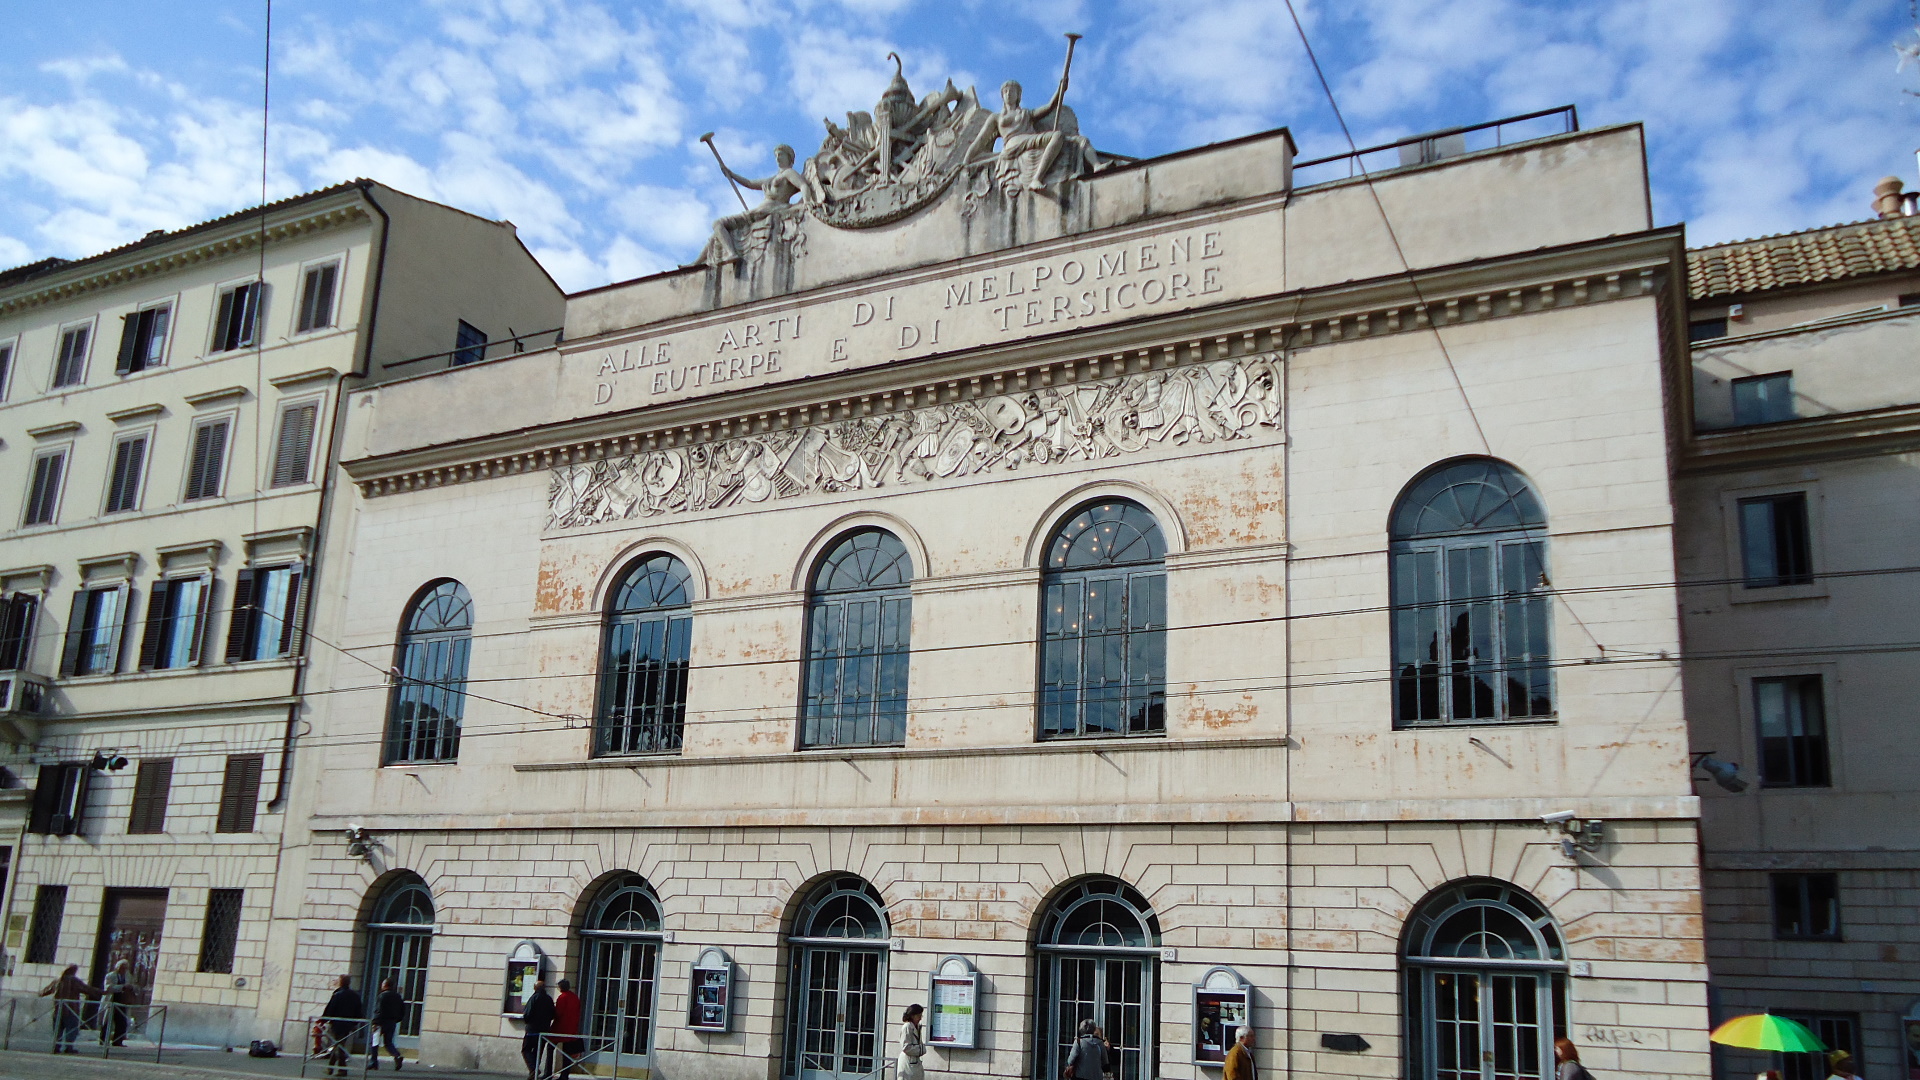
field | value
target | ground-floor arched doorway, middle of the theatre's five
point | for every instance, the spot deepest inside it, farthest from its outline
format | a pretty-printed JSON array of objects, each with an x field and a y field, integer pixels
[{"x": 838, "y": 983}]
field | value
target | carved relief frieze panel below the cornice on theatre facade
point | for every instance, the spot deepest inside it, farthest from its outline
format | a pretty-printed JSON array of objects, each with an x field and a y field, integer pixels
[{"x": 1044, "y": 426}]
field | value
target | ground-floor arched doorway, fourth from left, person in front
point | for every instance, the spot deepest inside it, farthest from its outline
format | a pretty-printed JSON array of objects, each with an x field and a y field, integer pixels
[{"x": 1097, "y": 950}]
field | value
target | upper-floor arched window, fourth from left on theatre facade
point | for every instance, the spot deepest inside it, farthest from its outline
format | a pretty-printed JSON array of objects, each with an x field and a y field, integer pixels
[{"x": 1105, "y": 626}]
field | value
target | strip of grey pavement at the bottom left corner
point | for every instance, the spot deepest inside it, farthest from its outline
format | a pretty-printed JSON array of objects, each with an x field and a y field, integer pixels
[{"x": 135, "y": 1062}]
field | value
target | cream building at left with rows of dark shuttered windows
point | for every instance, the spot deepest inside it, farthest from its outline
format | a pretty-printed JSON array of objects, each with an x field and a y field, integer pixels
[{"x": 168, "y": 420}]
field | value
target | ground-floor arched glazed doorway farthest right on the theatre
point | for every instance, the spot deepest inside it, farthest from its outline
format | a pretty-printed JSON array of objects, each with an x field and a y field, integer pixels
[{"x": 1485, "y": 985}]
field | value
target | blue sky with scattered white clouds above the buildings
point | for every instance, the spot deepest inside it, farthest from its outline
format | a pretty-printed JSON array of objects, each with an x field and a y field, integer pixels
[{"x": 581, "y": 120}]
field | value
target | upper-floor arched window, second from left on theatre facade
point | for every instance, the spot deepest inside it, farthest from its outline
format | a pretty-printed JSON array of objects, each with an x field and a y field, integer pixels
[{"x": 644, "y": 660}]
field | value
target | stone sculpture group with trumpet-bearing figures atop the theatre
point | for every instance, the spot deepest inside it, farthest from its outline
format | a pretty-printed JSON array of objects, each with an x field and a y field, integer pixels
[{"x": 896, "y": 160}]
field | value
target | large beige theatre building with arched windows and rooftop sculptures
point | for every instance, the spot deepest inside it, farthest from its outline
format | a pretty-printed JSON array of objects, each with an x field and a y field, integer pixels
[{"x": 1107, "y": 583}]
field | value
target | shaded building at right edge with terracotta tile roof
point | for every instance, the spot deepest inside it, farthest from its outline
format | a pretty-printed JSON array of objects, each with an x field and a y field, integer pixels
[{"x": 1800, "y": 537}]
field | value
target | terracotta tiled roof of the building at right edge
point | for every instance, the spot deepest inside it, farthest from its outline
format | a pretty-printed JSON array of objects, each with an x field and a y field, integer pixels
[{"x": 1815, "y": 257}]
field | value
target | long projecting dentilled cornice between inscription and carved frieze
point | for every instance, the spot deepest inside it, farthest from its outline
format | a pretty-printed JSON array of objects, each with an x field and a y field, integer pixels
[{"x": 1625, "y": 268}]
